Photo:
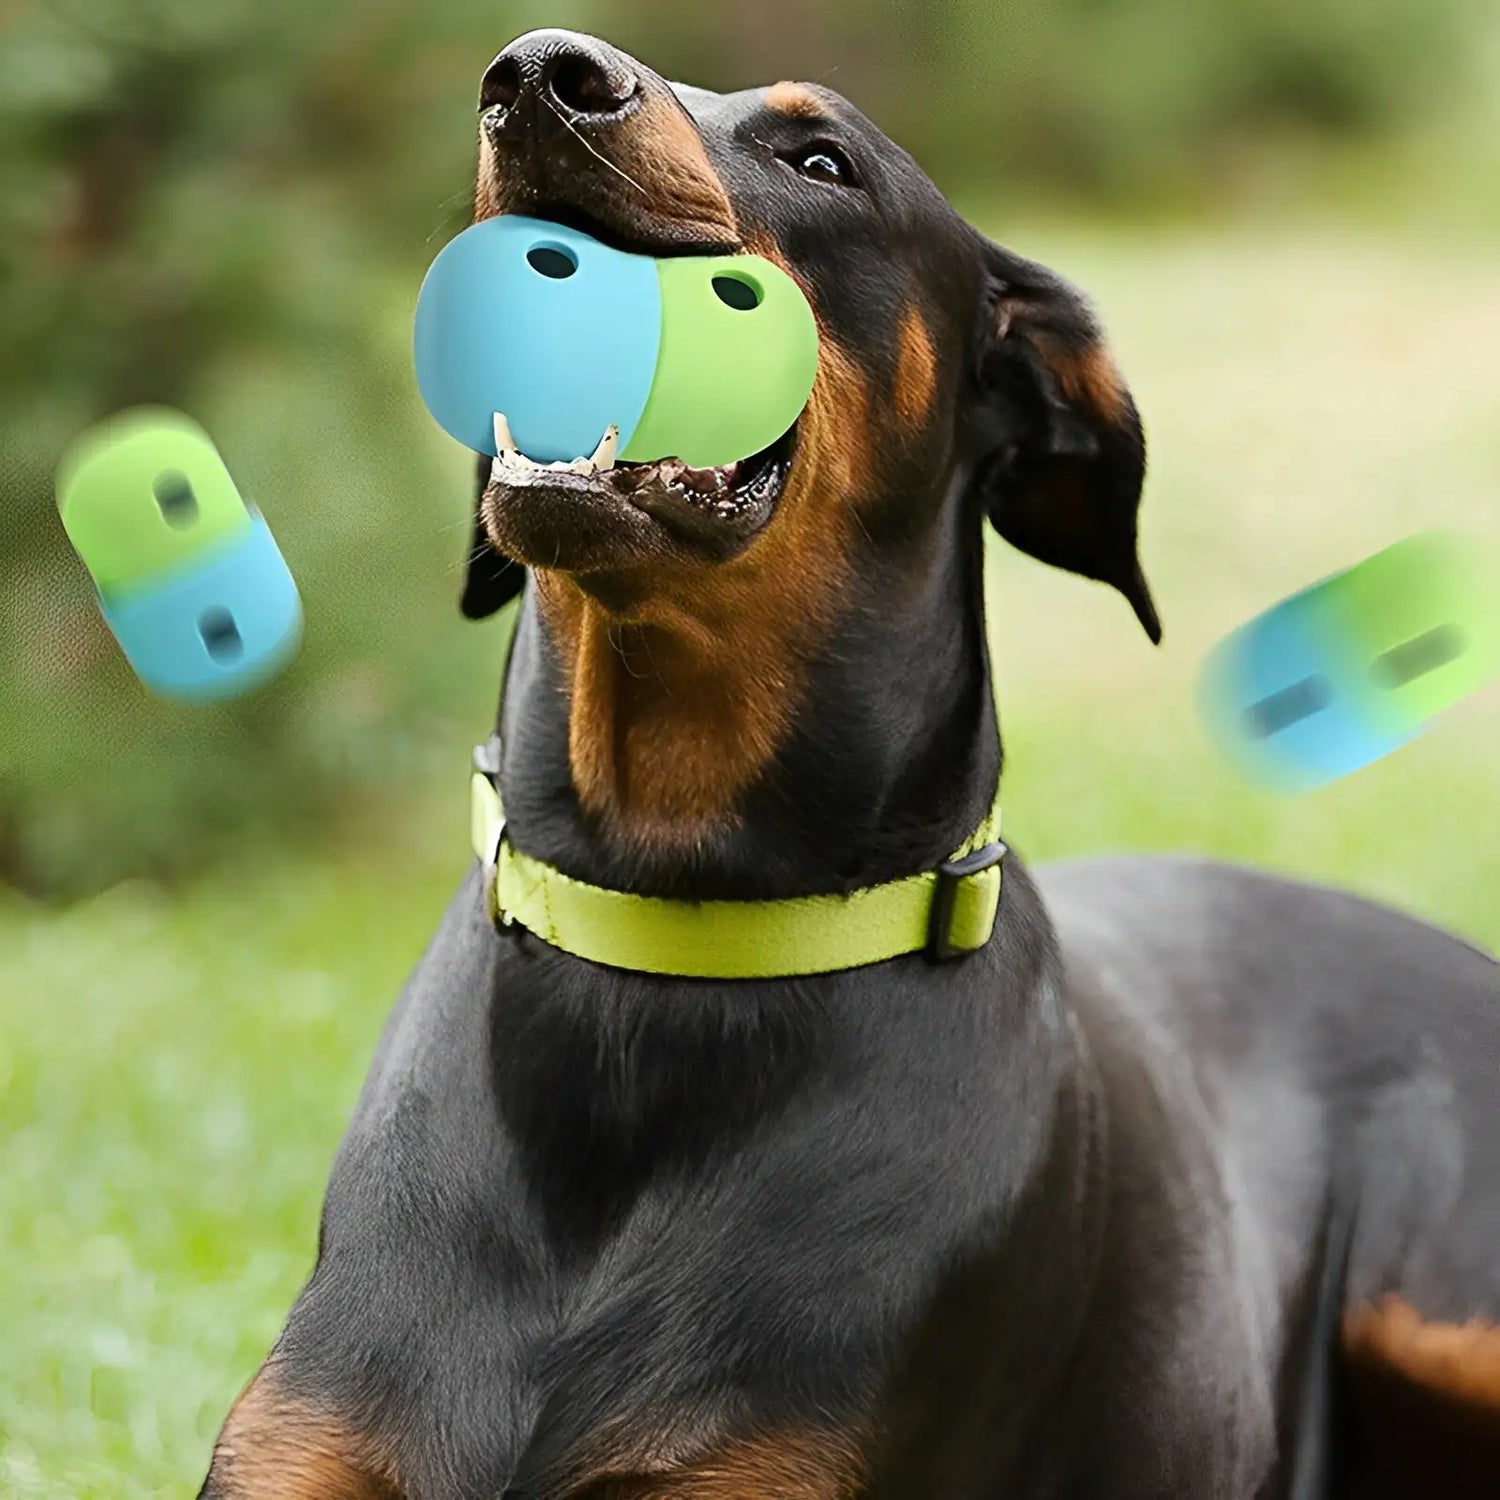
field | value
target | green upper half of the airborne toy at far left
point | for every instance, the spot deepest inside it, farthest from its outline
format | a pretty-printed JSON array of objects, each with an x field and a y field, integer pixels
[{"x": 146, "y": 494}]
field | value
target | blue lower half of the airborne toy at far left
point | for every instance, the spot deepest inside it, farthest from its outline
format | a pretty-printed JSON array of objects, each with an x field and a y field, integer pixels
[{"x": 212, "y": 631}]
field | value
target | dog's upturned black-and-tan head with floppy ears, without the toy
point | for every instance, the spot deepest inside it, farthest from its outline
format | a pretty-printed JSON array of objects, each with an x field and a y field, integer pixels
[{"x": 952, "y": 373}]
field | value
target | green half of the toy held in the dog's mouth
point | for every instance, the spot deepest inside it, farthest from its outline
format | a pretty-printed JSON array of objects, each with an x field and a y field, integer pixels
[{"x": 737, "y": 364}]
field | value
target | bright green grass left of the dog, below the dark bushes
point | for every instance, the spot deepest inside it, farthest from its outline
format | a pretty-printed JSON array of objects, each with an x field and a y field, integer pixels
[{"x": 173, "y": 1081}]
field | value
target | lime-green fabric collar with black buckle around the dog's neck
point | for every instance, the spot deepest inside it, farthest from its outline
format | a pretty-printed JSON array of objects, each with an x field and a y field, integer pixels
[{"x": 944, "y": 913}]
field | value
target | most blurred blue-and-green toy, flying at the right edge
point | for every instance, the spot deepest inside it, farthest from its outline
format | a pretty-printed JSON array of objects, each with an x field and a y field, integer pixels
[{"x": 1355, "y": 667}]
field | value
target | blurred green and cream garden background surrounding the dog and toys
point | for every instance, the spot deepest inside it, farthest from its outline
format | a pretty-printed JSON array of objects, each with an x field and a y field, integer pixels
[{"x": 1291, "y": 218}]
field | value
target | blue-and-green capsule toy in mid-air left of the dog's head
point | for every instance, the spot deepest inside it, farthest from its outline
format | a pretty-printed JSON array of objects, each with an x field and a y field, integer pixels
[{"x": 190, "y": 578}]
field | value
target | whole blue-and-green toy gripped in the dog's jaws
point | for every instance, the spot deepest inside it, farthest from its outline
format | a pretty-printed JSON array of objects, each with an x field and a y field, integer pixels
[{"x": 706, "y": 359}]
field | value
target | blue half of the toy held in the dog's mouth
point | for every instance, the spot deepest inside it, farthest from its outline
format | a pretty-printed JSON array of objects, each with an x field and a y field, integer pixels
[{"x": 550, "y": 326}]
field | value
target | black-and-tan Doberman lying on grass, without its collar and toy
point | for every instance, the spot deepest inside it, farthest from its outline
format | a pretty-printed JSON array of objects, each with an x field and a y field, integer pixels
[{"x": 1184, "y": 1184}]
